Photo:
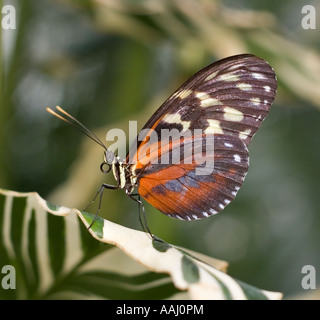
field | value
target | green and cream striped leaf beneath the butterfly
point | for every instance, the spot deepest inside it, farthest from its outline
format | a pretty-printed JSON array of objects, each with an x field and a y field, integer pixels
[{"x": 55, "y": 256}]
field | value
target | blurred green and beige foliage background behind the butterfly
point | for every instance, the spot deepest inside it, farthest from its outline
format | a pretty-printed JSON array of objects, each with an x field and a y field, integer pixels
[{"x": 111, "y": 61}]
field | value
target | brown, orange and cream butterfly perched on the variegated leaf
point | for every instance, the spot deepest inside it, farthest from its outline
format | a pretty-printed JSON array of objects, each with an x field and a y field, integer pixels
[{"x": 220, "y": 107}]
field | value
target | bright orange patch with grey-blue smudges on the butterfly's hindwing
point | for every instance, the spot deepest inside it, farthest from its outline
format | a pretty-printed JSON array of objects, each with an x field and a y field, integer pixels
[{"x": 173, "y": 196}]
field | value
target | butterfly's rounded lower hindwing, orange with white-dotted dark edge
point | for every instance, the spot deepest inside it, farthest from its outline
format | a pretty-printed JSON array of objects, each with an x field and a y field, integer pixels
[{"x": 196, "y": 189}]
